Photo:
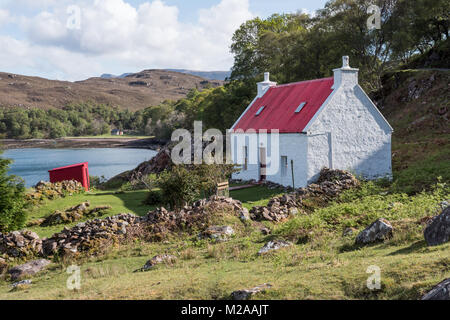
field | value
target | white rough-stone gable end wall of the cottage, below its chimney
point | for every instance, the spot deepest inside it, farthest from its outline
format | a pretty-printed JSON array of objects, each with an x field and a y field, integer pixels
[{"x": 358, "y": 137}]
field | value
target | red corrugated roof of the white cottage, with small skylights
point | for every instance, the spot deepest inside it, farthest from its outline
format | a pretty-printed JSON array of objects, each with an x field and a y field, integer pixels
[{"x": 280, "y": 103}]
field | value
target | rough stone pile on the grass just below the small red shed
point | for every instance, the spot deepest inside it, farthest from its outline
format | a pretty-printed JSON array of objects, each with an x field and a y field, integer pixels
[{"x": 47, "y": 190}]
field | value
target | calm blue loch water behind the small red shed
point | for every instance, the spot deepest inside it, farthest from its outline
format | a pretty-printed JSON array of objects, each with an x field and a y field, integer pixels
[{"x": 33, "y": 164}]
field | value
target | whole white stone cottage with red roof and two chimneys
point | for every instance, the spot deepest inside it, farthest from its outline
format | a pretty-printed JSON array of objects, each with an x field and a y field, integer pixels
[{"x": 327, "y": 122}]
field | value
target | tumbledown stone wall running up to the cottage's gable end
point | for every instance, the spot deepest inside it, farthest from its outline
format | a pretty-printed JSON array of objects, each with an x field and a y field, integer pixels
[{"x": 330, "y": 184}]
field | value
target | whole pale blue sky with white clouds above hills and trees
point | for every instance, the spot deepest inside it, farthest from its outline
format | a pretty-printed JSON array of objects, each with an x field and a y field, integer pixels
[{"x": 78, "y": 39}]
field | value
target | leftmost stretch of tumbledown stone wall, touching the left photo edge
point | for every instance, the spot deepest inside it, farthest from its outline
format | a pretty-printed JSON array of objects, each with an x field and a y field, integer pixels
[{"x": 20, "y": 244}]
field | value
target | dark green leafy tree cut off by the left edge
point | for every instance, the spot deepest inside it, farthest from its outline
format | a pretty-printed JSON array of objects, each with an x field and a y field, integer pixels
[{"x": 12, "y": 199}]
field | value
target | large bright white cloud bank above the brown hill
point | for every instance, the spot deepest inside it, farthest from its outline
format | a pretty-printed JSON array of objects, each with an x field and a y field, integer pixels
[{"x": 115, "y": 35}]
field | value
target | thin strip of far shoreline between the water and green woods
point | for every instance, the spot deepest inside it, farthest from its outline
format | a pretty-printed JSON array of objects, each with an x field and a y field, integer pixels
[{"x": 73, "y": 143}]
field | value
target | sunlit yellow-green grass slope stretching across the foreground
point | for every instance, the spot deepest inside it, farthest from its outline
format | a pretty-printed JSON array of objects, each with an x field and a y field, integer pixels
[{"x": 213, "y": 271}]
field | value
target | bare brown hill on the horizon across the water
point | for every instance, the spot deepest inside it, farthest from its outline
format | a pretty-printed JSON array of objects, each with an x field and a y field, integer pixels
[{"x": 133, "y": 91}]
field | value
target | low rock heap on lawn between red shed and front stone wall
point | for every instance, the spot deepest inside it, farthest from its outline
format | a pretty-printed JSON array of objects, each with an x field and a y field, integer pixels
[{"x": 74, "y": 214}]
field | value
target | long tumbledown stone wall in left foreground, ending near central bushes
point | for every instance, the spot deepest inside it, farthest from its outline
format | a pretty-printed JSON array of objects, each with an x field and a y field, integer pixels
[{"x": 87, "y": 235}]
